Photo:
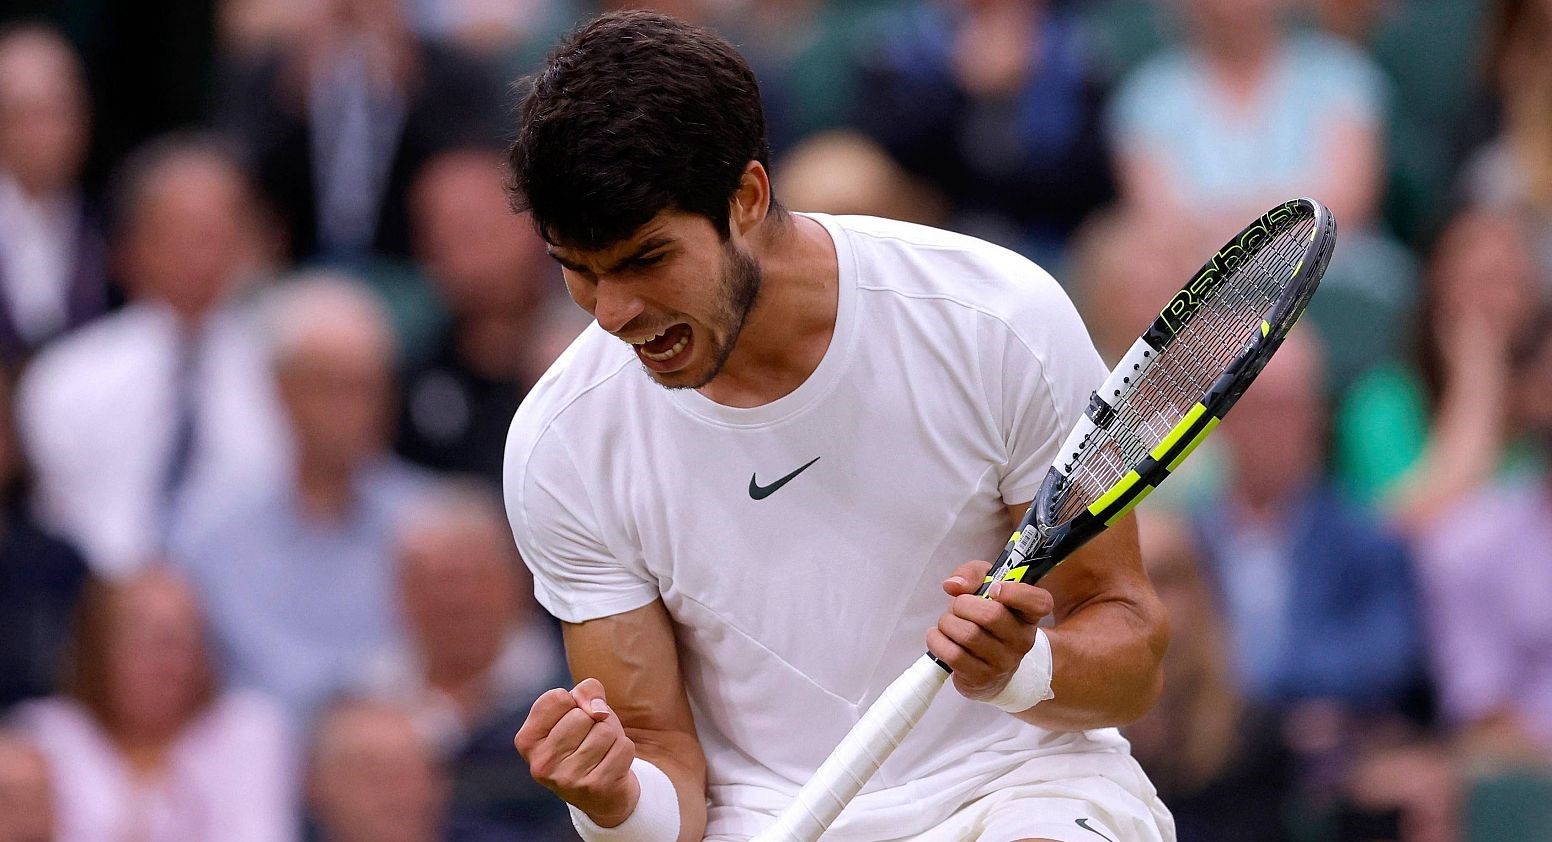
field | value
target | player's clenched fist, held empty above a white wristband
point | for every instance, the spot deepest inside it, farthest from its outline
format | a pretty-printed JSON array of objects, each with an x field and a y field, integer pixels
[{"x": 577, "y": 748}]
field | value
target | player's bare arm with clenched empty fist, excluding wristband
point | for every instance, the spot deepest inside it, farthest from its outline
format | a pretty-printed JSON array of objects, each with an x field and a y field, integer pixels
[{"x": 632, "y": 661}]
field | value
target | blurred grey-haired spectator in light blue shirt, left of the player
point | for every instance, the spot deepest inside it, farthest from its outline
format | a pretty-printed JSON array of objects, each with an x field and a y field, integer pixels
[{"x": 299, "y": 578}]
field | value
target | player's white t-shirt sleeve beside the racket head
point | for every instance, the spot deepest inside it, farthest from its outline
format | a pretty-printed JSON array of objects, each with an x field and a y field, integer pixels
[{"x": 1039, "y": 367}]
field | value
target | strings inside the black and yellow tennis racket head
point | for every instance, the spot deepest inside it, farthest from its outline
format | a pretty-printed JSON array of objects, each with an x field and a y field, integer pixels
[{"x": 1214, "y": 337}]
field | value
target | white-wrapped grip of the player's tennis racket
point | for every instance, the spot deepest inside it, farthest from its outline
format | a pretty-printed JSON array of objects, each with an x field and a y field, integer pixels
[{"x": 865, "y": 748}]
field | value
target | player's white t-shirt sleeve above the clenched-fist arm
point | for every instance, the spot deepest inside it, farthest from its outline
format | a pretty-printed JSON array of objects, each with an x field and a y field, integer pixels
[{"x": 577, "y": 575}]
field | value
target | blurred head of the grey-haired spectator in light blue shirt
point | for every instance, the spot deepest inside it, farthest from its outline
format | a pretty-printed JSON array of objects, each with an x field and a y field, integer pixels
[{"x": 336, "y": 387}]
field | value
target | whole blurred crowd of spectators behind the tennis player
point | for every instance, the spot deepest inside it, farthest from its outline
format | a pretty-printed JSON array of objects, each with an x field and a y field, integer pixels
[{"x": 266, "y": 316}]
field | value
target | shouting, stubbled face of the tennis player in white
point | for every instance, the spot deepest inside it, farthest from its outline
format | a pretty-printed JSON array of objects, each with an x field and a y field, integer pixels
[{"x": 674, "y": 291}]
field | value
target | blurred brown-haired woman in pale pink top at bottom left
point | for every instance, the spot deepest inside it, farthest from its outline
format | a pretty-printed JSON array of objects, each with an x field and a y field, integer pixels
[{"x": 145, "y": 745}]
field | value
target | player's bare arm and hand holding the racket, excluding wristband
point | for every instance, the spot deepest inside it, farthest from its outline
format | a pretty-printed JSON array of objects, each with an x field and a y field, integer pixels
[{"x": 1107, "y": 644}]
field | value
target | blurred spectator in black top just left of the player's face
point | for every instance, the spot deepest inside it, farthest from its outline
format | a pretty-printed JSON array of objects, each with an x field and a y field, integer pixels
[{"x": 493, "y": 275}]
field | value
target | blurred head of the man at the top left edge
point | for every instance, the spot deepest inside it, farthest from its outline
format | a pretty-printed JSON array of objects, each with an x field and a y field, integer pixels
[{"x": 43, "y": 111}]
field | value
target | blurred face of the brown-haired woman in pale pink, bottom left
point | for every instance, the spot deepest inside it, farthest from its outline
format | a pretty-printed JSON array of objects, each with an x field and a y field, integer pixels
[{"x": 158, "y": 672}]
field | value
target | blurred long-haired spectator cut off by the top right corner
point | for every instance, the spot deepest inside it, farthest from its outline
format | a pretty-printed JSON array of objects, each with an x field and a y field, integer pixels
[{"x": 1514, "y": 173}]
